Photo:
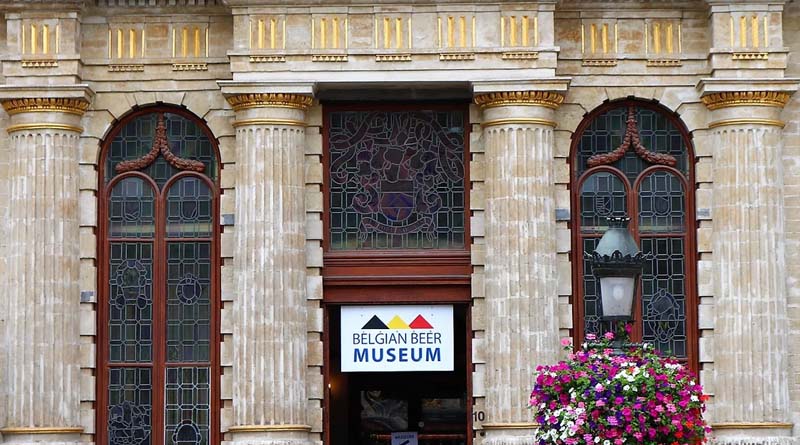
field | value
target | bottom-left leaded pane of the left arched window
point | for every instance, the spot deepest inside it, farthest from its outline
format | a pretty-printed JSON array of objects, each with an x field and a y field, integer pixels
[{"x": 129, "y": 406}]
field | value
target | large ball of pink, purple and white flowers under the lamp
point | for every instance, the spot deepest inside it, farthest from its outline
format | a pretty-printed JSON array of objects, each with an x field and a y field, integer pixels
[{"x": 598, "y": 397}]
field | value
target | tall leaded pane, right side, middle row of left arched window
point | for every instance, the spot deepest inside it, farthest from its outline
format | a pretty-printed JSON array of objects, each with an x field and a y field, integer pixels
[{"x": 188, "y": 302}]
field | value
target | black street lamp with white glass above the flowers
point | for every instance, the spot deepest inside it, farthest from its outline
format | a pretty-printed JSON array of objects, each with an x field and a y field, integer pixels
[{"x": 617, "y": 263}]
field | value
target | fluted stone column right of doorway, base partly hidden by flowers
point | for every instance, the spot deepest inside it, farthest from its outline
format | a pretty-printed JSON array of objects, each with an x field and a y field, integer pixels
[{"x": 520, "y": 267}]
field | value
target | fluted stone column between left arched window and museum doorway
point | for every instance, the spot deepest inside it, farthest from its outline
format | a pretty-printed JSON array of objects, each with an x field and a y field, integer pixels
[{"x": 270, "y": 402}]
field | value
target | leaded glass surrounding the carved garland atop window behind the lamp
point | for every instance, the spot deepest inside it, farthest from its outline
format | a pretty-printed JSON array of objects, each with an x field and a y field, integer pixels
[{"x": 607, "y": 132}]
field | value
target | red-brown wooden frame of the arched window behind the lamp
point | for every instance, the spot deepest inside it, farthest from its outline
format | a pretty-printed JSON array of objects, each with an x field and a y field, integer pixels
[{"x": 689, "y": 234}]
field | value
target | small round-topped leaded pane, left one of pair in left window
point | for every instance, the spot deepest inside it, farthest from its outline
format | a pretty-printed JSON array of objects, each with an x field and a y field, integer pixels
[{"x": 131, "y": 209}]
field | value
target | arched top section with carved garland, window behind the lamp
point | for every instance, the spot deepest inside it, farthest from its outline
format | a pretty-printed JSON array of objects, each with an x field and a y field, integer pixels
[{"x": 631, "y": 136}]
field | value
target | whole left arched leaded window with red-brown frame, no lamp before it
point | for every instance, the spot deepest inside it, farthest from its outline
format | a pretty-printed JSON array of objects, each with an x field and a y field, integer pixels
[{"x": 159, "y": 281}]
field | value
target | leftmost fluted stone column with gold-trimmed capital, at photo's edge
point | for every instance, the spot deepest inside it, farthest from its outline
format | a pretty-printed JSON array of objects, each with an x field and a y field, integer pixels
[{"x": 42, "y": 367}]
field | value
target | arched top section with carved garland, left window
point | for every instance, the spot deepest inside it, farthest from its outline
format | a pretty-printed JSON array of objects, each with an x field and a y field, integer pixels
[{"x": 161, "y": 142}]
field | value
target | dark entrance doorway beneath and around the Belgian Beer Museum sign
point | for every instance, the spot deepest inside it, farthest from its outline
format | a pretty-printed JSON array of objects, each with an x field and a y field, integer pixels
[{"x": 365, "y": 408}]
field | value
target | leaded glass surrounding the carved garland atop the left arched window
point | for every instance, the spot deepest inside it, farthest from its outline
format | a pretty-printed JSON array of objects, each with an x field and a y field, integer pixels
[{"x": 186, "y": 140}]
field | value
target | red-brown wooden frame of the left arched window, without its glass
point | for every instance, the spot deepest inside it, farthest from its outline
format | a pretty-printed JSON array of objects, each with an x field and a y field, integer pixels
[{"x": 159, "y": 240}]
